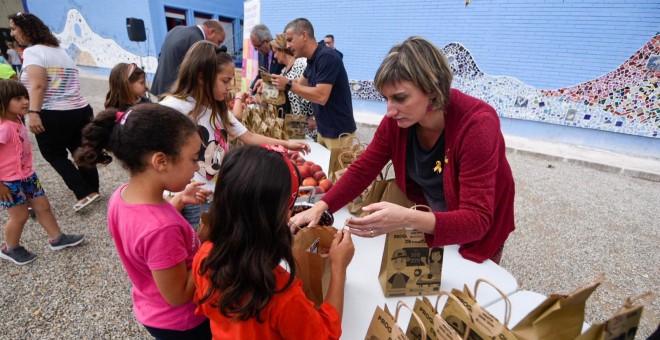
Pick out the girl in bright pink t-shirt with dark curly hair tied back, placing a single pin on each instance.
(156, 245)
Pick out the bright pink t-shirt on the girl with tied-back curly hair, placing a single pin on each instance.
(153, 237)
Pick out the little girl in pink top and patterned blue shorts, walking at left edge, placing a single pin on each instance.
(19, 184)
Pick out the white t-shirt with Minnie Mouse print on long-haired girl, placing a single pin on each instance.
(214, 139)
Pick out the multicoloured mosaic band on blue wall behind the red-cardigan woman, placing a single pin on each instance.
(624, 100)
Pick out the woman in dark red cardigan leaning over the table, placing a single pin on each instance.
(448, 152)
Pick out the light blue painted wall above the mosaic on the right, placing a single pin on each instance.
(547, 44)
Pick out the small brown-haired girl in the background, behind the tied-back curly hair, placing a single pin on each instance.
(127, 87)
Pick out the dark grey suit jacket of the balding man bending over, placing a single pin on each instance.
(176, 44)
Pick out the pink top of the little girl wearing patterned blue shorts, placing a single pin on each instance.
(15, 151)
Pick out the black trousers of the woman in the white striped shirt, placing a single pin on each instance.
(63, 131)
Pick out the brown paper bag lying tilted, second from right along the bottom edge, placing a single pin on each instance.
(558, 317)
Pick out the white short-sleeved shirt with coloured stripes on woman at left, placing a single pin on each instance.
(63, 89)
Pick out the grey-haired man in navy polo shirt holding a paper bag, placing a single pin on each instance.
(324, 83)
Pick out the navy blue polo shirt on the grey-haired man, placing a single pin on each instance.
(336, 116)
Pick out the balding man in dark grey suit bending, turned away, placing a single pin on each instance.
(177, 42)
